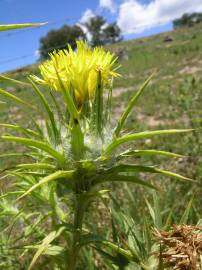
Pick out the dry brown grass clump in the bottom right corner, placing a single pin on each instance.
(181, 247)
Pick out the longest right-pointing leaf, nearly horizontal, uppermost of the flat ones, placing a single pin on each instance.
(141, 135)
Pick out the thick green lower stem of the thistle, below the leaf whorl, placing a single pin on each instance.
(80, 206)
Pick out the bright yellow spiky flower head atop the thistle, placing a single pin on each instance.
(78, 70)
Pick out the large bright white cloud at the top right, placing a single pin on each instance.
(135, 17)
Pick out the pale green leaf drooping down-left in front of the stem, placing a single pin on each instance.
(52, 177)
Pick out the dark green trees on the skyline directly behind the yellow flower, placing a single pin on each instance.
(96, 31)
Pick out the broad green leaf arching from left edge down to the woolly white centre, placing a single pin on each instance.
(37, 144)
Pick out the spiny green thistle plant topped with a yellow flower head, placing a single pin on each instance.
(72, 151)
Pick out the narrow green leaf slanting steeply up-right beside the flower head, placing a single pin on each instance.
(130, 106)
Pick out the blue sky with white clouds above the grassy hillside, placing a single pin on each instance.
(18, 48)
